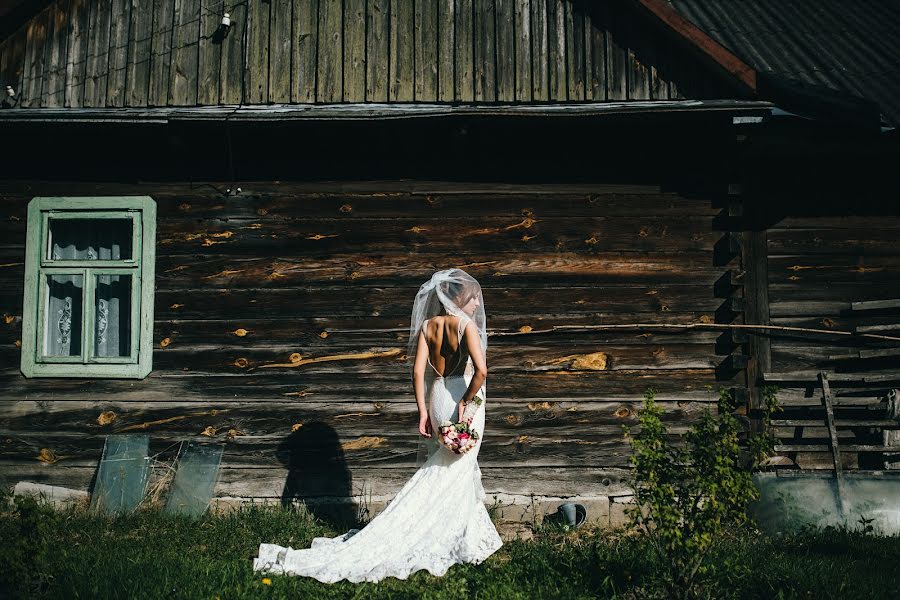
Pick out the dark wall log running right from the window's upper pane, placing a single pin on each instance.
(468, 236)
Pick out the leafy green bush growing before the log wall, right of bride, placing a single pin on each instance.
(688, 495)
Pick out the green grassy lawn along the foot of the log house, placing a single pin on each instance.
(48, 553)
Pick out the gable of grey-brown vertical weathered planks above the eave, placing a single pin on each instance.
(173, 53)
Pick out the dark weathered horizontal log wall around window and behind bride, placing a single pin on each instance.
(288, 308)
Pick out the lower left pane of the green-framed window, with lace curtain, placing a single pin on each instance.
(62, 315)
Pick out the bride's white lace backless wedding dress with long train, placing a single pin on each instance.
(437, 520)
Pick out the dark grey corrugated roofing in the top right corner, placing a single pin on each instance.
(852, 47)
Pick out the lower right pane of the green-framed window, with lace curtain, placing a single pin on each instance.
(112, 315)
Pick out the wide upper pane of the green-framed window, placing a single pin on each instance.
(90, 239)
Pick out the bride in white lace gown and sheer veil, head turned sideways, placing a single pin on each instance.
(438, 519)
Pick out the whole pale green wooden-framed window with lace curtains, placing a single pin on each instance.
(88, 306)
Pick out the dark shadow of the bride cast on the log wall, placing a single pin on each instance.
(318, 475)
